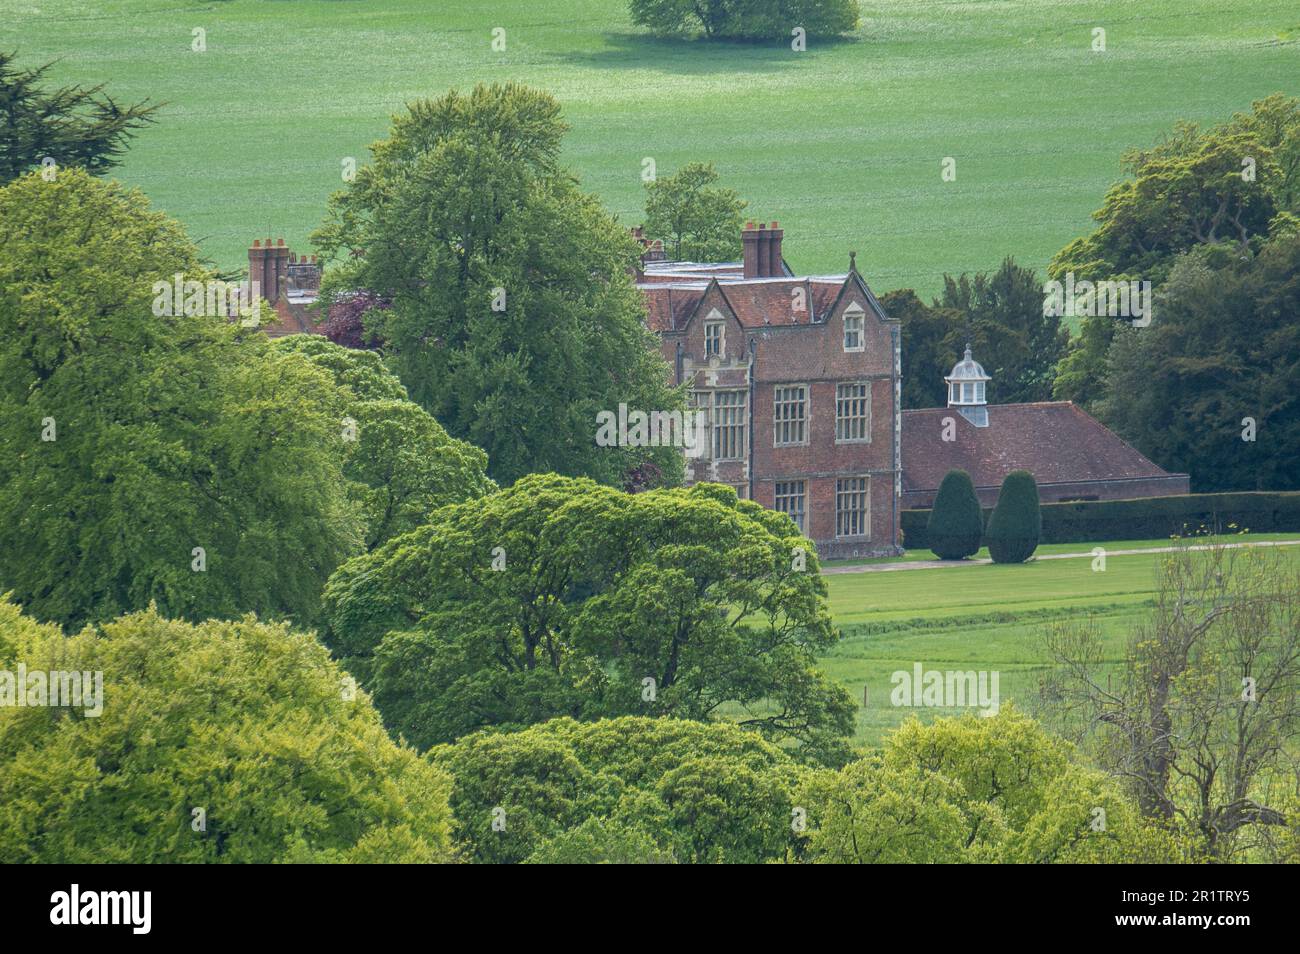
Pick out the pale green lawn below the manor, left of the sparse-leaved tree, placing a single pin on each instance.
(976, 618)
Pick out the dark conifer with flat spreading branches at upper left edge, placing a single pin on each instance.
(75, 127)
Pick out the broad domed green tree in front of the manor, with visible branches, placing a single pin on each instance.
(558, 597)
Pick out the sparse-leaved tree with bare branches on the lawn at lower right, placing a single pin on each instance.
(1201, 722)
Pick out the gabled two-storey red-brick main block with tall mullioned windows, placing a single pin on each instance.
(799, 383)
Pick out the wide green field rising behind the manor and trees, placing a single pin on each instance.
(842, 144)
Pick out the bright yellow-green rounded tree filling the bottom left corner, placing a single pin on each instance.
(249, 723)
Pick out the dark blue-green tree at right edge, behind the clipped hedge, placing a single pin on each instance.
(1210, 389)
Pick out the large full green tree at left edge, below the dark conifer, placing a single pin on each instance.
(145, 457)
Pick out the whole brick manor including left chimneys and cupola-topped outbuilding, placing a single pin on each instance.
(799, 379)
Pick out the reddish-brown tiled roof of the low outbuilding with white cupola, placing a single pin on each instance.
(1055, 441)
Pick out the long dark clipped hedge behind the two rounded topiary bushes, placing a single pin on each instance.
(1149, 518)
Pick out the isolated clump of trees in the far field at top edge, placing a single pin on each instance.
(746, 20)
